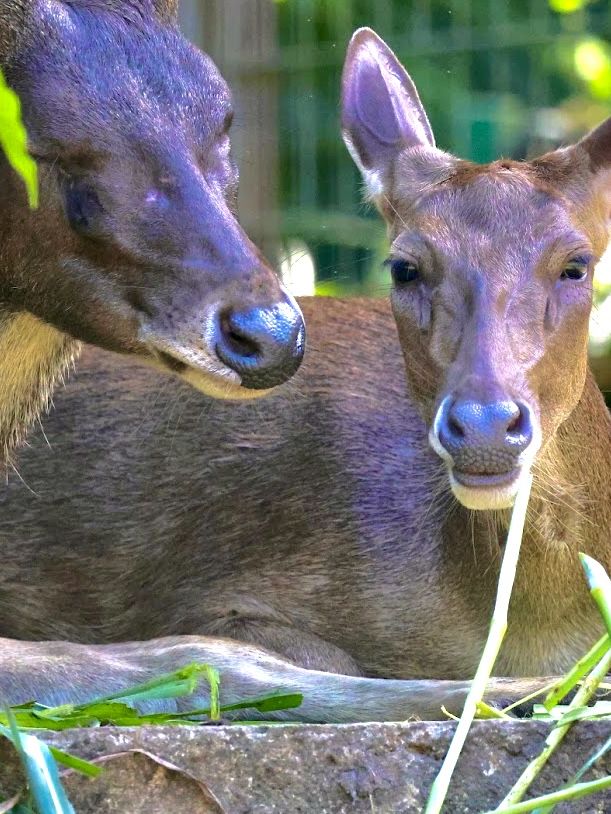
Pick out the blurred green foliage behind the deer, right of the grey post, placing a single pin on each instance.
(511, 78)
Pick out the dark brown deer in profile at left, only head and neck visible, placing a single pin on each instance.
(135, 247)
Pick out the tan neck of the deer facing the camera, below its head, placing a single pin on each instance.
(552, 619)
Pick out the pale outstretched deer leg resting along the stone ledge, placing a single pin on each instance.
(61, 672)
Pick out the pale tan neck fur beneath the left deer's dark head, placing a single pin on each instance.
(34, 357)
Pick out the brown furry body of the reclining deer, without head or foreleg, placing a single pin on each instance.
(318, 525)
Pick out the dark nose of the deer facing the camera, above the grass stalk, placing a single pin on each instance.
(485, 438)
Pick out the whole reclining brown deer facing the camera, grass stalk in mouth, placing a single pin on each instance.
(348, 532)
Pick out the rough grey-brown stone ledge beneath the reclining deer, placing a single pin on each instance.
(373, 768)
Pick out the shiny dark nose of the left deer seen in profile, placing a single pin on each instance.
(264, 346)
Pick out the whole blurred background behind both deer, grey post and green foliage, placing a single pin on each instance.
(497, 77)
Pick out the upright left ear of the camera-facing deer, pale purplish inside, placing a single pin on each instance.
(381, 111)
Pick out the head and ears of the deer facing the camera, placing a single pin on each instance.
(492, 275)
